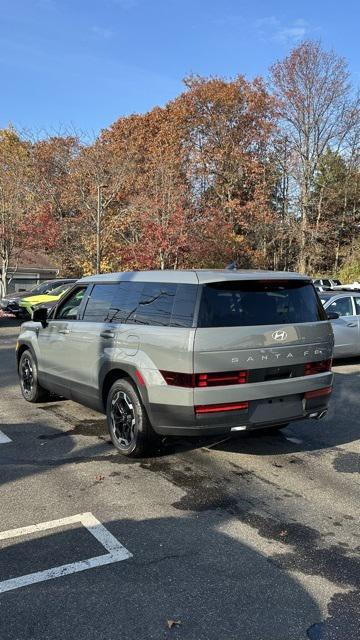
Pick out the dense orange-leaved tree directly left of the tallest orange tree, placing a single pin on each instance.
(152, 213)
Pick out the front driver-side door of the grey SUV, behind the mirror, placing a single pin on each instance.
(56, 357)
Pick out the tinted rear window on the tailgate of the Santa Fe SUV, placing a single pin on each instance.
(239, 304)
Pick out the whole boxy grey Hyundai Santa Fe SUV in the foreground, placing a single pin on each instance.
(183, 352)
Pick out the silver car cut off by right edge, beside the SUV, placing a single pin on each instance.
(346, 326)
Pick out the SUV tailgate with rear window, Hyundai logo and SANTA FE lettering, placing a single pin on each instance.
(269, 333)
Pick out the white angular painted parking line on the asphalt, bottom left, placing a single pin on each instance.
(116, 551)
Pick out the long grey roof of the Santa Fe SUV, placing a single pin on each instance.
(193, 276)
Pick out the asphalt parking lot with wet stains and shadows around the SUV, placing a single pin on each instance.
(249, 538)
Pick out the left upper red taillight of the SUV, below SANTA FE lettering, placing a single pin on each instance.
(192, 380)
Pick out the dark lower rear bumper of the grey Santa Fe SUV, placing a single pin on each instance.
(179, 420)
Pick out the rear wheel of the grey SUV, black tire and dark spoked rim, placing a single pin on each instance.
(129, 427)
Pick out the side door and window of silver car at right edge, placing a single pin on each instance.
(346, 327)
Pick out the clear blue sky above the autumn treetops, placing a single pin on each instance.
(84, 63)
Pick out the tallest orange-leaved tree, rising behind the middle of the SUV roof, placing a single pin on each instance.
(228, 131)
